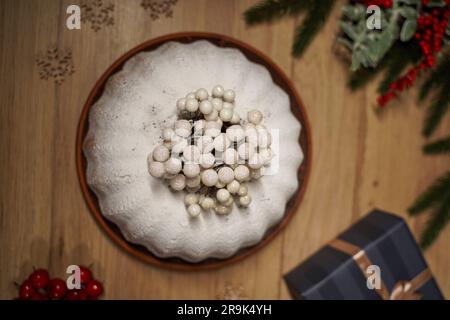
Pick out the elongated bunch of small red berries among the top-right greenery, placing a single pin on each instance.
(430, 33)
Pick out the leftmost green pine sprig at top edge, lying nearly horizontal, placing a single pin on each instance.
(270, 10)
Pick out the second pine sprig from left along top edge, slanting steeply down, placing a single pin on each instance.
(317, 15)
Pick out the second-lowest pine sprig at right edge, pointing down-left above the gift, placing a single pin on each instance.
(439, 190)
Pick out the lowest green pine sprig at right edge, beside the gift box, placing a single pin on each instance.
(437, 222)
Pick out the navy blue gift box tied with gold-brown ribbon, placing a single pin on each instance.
(341, 269)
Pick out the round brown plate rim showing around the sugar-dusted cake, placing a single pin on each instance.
(297, 109)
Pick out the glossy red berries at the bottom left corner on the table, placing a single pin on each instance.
(39, 286)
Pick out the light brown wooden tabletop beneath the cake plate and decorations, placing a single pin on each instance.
(360, 160)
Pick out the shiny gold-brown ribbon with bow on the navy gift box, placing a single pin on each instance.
(403, 290)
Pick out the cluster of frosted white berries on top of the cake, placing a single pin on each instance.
(211, 153)
